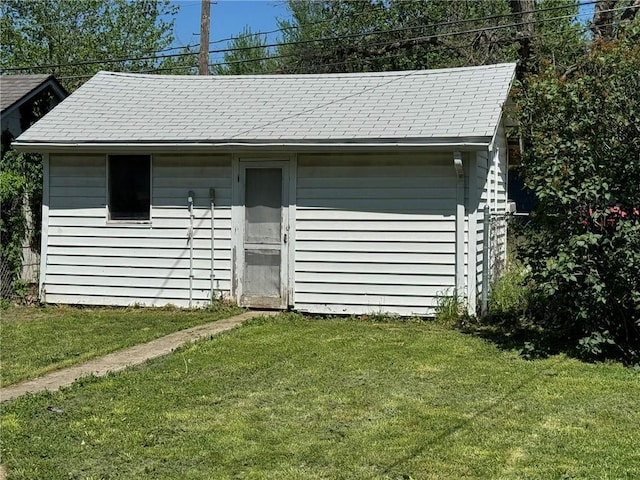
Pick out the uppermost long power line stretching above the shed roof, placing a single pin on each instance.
(375, 32)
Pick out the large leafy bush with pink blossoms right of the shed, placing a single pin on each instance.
(582, 151)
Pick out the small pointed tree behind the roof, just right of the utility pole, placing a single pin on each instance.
(249, 55)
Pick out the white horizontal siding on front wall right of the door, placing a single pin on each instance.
(374, 233)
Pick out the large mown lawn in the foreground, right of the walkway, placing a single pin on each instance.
(298, 398)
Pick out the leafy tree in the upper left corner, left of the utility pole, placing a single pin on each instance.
(73, 39)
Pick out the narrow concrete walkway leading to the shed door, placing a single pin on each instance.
(122, 359)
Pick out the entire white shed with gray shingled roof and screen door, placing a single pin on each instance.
(333, 194)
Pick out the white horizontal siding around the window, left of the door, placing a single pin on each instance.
(93, 261)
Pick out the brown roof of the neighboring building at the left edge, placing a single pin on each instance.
(17, 89)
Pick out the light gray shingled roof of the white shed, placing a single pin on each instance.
(422, 106)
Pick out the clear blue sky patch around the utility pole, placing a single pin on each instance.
(228, 19)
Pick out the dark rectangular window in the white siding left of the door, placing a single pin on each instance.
(129, 187)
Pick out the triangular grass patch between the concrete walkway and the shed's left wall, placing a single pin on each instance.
(34, 341)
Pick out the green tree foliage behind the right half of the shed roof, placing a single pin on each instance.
(376, 35)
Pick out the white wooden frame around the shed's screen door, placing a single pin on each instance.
(240, 164)
